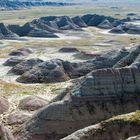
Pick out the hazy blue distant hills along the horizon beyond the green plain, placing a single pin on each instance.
(18, 4)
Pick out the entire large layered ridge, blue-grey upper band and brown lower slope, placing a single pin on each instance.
(95, 97)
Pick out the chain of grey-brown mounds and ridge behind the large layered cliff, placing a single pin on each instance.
(38, 71)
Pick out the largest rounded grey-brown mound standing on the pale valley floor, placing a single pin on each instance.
(46, 72)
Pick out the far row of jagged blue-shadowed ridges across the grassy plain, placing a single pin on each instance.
(48, 26)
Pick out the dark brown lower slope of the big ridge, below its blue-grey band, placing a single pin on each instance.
(73, 115)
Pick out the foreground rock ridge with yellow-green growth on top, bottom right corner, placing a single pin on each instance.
(120, 127)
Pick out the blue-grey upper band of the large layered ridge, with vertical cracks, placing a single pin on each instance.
(110, 81)
